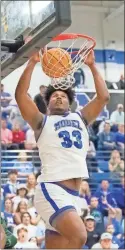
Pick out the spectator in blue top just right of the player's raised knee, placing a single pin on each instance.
(97, 213)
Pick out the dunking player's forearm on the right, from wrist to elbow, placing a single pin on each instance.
(100, 85)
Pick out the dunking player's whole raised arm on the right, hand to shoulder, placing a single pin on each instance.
(91, 111)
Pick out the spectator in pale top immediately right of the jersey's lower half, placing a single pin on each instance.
(91, 158)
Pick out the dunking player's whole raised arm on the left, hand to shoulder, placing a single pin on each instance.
(27, 107)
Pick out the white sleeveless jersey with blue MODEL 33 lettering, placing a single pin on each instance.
(63, 146)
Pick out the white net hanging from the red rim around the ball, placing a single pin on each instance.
(77, 59)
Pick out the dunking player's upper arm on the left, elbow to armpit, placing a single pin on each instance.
(29, 110)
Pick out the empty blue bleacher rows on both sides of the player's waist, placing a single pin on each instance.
(9, 157)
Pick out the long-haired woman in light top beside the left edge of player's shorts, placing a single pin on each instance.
(31, 184)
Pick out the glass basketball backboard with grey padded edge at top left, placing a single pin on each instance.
(37, 21)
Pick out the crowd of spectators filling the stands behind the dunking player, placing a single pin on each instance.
(102, 196)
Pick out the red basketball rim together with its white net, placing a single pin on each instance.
(85, 45)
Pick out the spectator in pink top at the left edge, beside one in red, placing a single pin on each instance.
(6, 137)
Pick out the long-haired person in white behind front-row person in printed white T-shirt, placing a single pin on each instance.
(26, 223)
